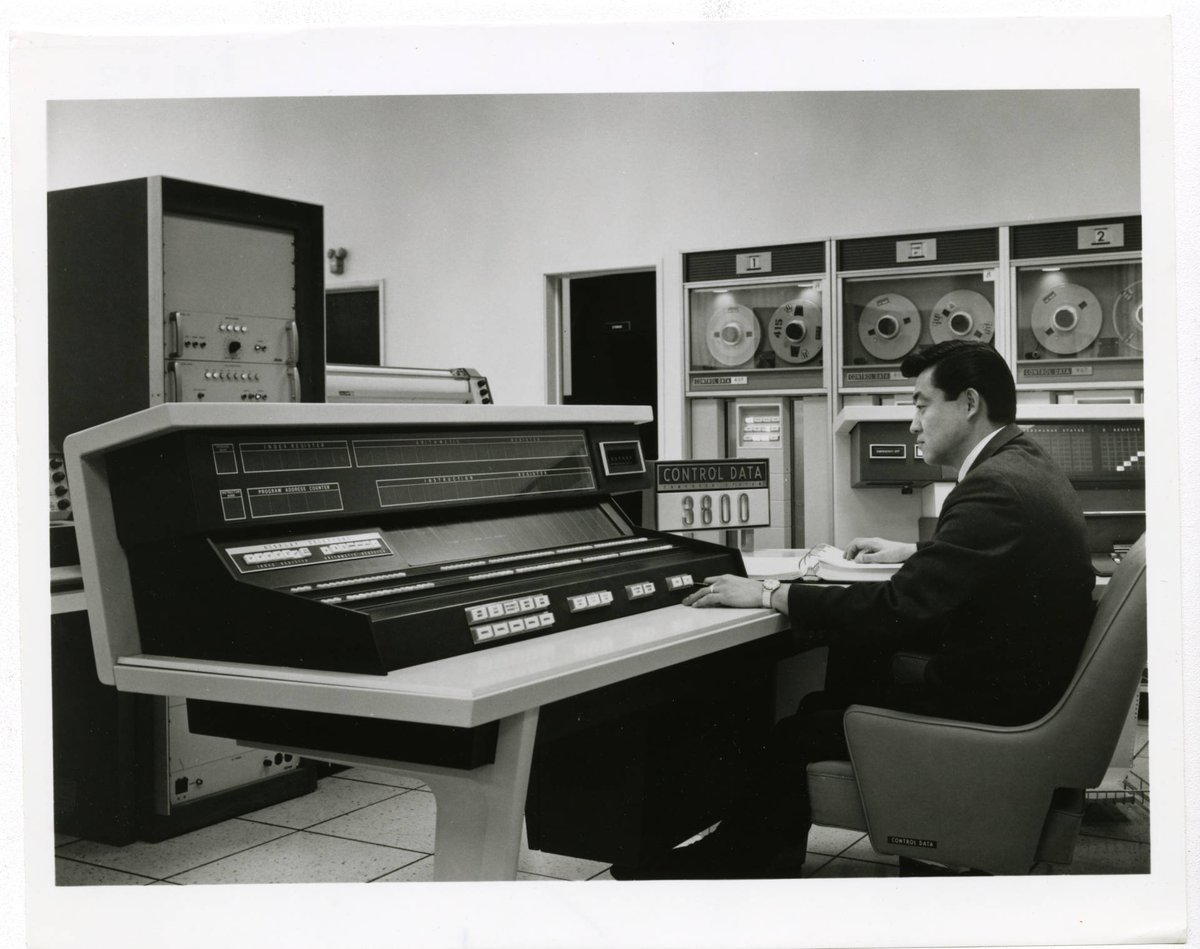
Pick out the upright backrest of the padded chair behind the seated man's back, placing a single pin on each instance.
(1085, 725)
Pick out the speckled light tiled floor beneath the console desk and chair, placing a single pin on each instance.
(364, 826)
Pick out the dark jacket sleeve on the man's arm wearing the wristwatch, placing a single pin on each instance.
(981, 527)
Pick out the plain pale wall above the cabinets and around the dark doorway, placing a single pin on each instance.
(464, 203)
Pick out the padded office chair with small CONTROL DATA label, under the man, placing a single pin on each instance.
(989, 798)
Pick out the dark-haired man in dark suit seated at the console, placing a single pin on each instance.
(1000, 597)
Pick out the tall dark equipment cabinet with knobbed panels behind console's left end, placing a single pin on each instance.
(169, 291)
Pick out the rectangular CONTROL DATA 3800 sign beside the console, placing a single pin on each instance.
(723, 495)
